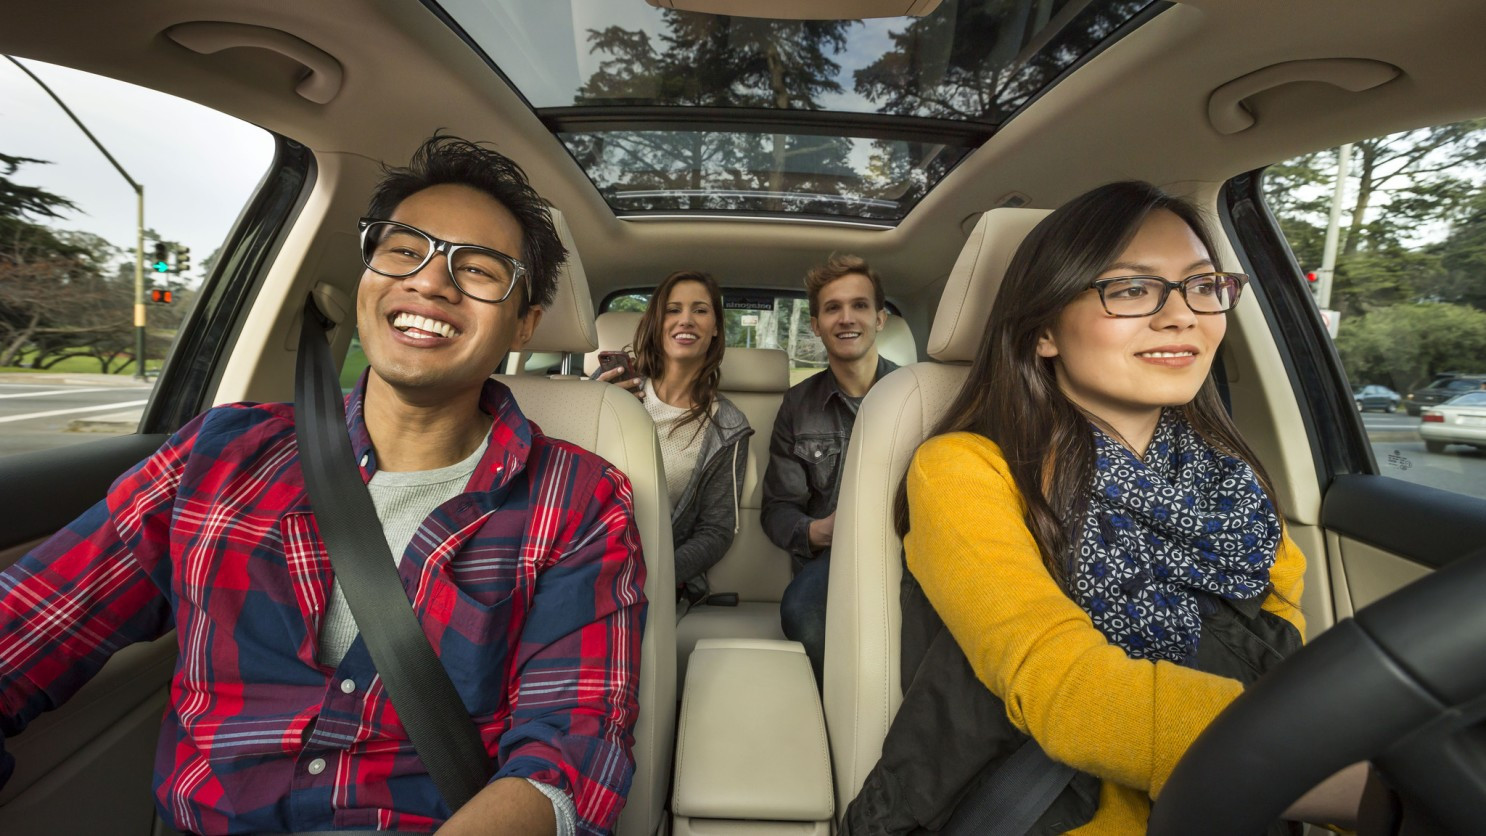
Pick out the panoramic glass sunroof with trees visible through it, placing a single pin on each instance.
(681, 112)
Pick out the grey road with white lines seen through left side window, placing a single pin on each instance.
(45, 415)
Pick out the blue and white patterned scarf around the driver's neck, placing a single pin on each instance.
(1185, 519)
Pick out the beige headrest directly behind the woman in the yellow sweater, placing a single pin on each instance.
(976, 280)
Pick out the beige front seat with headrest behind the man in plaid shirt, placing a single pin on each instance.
(614, 425)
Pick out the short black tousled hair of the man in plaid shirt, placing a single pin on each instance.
(450, 160)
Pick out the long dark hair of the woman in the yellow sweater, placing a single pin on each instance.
(1011, 394)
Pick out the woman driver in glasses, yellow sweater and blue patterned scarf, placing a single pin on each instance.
(1087, 522)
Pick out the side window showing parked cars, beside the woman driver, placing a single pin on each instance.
(1392, 234)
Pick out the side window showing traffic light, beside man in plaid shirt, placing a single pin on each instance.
(84, 238)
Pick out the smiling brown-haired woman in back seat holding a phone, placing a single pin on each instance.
(704, 437)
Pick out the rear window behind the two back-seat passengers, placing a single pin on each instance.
(760, 321)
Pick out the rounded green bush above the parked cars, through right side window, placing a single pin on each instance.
(1405, 345)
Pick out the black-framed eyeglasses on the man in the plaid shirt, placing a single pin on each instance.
(399, 252)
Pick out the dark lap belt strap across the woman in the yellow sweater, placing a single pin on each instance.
(1014, 798)
